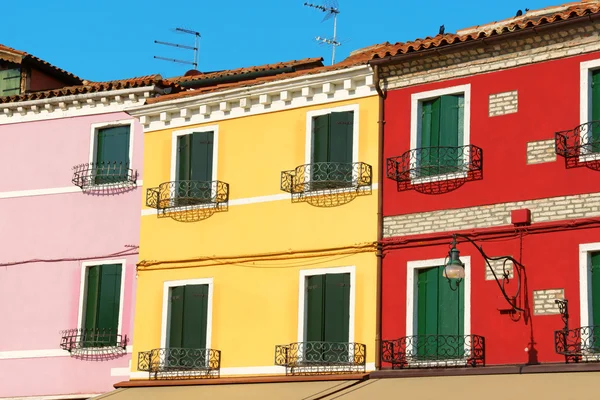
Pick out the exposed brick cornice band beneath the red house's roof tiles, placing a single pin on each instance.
(503, 54)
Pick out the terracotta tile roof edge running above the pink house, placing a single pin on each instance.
(94, 87)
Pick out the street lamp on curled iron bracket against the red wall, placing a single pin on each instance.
(454, 270)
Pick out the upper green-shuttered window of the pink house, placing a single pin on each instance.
(111, 153)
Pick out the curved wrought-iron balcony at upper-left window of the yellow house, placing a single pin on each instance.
(189, 200)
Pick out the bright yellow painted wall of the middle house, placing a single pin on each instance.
(255, 303)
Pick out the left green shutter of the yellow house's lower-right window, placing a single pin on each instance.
(315, 290)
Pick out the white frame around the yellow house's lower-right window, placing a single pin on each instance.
(305, 273)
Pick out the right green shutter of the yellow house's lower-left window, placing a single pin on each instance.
(195, 315)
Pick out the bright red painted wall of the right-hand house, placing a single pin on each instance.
(548, 102)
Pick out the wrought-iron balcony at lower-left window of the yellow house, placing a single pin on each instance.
(179, 363)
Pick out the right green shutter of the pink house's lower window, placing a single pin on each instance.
(109, 299)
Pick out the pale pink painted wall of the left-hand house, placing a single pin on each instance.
(39, 299)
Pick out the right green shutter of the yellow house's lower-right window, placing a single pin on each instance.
(337, 308)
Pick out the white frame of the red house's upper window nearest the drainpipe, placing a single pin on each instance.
(416, 109)
